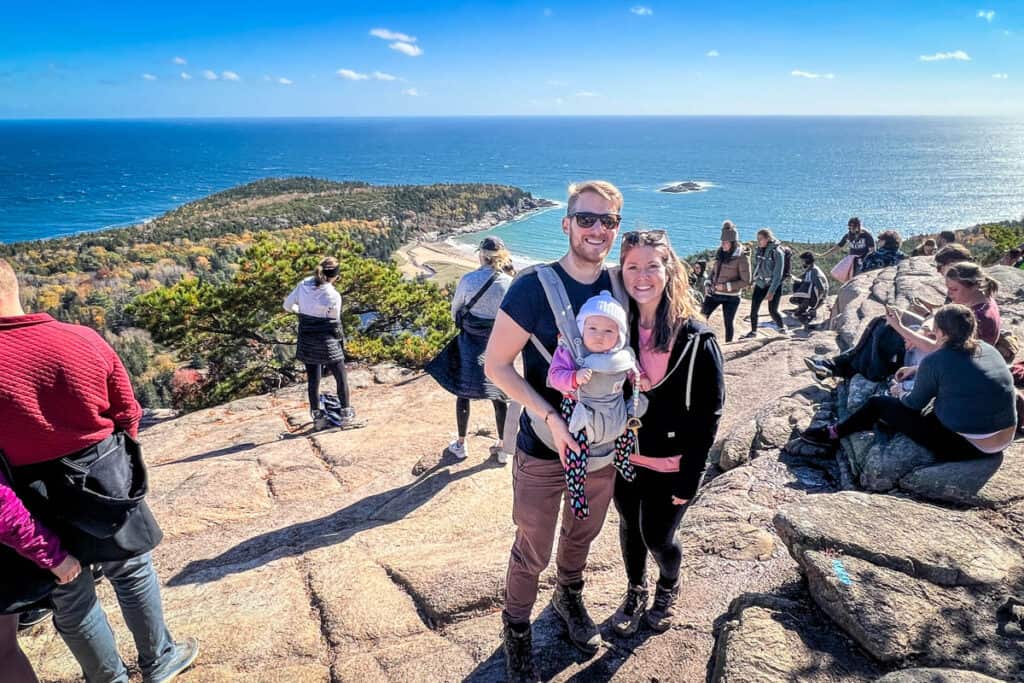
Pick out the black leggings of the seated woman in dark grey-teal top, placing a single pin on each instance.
(925, 430)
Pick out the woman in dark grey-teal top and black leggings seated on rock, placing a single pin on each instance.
(974, 413)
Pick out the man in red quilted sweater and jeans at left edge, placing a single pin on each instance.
(68, 405)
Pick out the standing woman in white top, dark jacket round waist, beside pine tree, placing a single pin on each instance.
(322, 341)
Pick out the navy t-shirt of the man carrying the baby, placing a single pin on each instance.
(528, 306)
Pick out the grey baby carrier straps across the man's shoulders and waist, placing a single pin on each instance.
(562, 309)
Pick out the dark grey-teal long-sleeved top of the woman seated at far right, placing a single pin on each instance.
(973, 393)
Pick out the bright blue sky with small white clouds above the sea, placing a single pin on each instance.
(258, 59)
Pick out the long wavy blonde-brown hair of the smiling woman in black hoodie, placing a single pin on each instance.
(677, 305)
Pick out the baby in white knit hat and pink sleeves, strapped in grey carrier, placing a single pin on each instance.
(592, 392)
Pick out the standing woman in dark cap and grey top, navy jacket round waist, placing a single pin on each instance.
(475, 307)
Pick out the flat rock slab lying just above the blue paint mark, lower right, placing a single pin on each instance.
(944, 547)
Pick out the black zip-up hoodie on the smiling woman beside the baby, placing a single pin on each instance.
(687, 406)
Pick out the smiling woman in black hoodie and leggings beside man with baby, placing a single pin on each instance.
(684, 362)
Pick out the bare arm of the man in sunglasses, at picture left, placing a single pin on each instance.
(507, 340)
